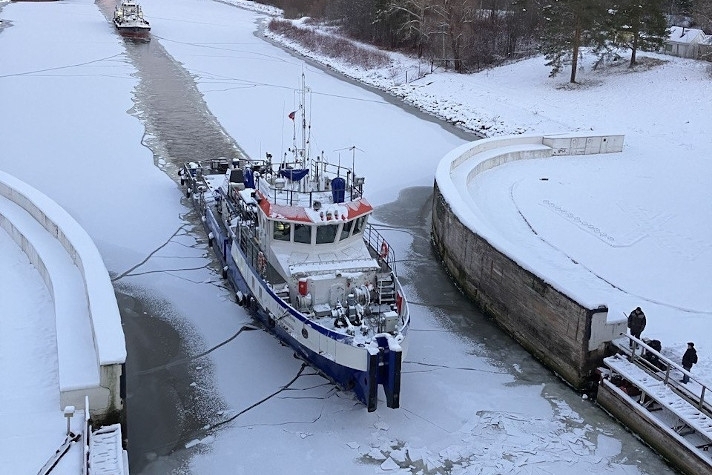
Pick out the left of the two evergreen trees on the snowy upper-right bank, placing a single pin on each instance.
(568, 26)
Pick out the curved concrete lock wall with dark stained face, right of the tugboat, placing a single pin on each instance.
(565, 335)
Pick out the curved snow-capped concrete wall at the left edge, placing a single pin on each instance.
(108, 336)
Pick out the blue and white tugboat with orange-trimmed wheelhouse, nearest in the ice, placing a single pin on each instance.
(296, 245)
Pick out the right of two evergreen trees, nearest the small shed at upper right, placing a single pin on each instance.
(640, 24)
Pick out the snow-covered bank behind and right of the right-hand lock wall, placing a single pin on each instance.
(640, 223)
